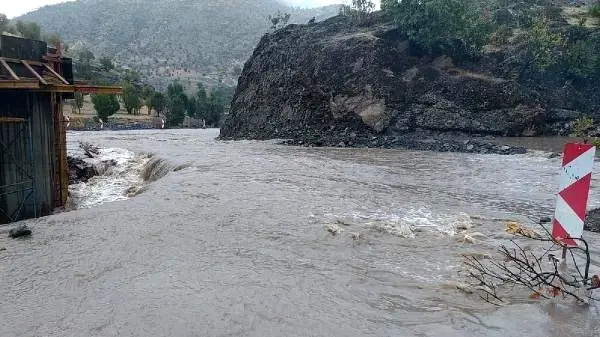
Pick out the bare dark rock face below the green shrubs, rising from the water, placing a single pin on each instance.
(334, 84)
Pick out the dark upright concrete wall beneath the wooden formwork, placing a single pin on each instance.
(36, 107)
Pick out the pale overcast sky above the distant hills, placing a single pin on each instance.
(14, 8)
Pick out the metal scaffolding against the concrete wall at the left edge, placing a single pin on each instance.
(17, 161)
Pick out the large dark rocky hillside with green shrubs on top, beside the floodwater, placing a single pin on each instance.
(374, 82)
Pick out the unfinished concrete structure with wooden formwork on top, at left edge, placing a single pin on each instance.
(34, 80)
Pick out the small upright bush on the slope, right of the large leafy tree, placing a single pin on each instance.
(545, 45)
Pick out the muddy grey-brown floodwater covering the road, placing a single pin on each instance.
(238, 242)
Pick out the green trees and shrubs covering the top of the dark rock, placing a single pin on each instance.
(462, 28)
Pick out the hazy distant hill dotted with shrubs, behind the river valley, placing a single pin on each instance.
(165, 39)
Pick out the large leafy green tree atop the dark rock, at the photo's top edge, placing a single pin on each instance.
(453, 26)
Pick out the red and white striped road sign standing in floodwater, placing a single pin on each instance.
(574, 187)
